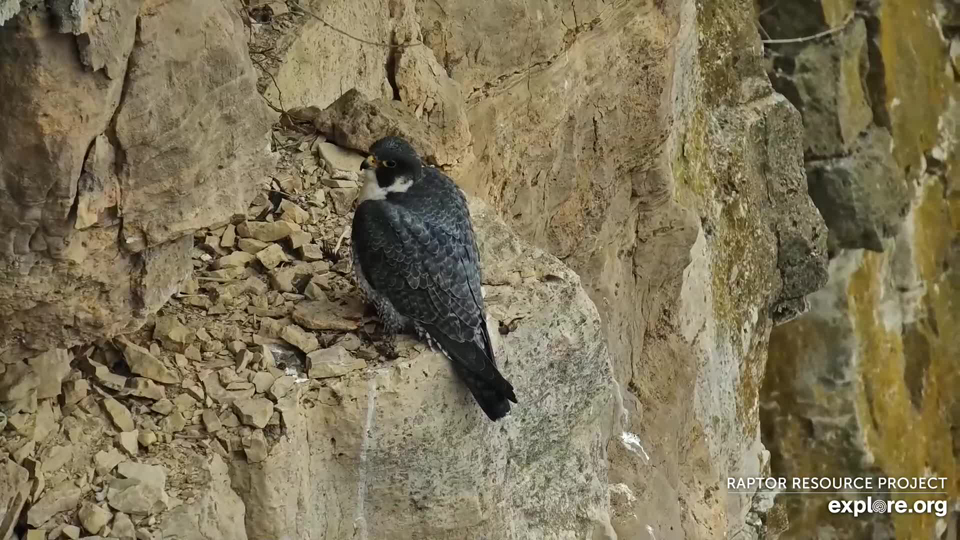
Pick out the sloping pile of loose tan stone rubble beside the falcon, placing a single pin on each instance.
(100, 438)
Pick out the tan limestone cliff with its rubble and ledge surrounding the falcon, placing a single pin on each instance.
(638, 144)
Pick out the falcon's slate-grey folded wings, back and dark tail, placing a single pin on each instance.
(421, 254)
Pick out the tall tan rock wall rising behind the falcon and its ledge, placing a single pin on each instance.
(642, 144)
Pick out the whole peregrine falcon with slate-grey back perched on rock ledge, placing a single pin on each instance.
(415, 258)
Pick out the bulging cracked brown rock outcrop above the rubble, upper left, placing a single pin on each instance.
(127, 125)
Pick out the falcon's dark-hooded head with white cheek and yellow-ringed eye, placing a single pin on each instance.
(393, 166)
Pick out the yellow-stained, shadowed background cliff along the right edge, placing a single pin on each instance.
(862, 385)
